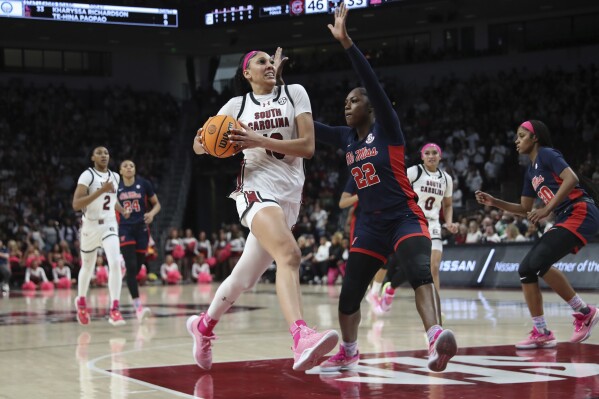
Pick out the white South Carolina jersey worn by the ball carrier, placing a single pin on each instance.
(271, 115)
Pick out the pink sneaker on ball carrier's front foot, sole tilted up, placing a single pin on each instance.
(312, 346)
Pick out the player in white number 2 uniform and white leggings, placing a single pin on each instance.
(95, 196)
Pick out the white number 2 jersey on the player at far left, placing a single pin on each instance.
(103, 206)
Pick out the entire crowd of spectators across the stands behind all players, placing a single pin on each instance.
(46, 135)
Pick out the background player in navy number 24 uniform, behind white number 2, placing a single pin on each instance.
(134, 194)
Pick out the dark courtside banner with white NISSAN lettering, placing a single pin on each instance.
(496, 266)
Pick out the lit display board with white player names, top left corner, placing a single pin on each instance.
(89, 13)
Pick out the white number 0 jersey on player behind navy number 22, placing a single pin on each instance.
(431, 188)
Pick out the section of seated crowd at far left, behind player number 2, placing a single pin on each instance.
(46, 138)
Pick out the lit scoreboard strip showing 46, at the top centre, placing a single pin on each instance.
(248, 11)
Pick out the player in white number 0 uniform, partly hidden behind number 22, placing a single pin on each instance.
(434, 188)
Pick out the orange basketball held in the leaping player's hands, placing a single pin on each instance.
(215, 135)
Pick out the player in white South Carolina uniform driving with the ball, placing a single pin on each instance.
(278, 132)
